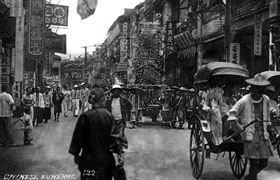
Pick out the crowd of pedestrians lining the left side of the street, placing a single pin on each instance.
(37, 106)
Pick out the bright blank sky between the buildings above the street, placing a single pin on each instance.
(93, 30)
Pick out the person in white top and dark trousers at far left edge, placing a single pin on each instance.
(6, 102)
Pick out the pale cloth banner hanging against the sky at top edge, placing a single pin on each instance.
(86, 8)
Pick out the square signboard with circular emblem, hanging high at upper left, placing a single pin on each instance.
(56, 15)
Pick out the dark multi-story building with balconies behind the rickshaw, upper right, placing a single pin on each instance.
(236, 31)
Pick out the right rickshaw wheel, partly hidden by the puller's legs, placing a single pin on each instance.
(238, 164)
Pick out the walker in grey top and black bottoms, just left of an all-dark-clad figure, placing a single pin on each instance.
(48, 105)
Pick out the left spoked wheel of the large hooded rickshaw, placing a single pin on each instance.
(197, 148)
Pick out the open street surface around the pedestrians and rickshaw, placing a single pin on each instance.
(154, 153)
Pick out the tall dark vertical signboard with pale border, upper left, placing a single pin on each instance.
(36, 22)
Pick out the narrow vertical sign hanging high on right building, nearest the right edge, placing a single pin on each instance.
(258, 35)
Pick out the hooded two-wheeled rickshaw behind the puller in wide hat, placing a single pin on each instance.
(224, 74)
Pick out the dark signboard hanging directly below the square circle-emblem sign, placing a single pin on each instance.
(56, 43)
